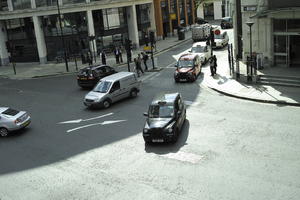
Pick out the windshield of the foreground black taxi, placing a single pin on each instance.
(161, 111)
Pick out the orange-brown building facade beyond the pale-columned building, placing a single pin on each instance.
(170, 14)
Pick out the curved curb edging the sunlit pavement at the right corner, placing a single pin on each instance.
(253, 99)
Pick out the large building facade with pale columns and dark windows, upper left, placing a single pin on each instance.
(30, 29)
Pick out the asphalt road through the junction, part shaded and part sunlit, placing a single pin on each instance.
(228, 148)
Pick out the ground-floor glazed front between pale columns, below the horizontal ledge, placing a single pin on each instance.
(43, 39)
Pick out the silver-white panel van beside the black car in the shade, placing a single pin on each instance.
(113, 88)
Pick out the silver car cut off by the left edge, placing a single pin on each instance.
(12, 120)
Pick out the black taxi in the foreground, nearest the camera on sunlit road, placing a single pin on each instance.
(166, 116)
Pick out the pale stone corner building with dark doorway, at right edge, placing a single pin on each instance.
(275, 32)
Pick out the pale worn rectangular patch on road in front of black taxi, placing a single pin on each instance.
(184, 157)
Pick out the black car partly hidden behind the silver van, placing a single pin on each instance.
(89, 76)
